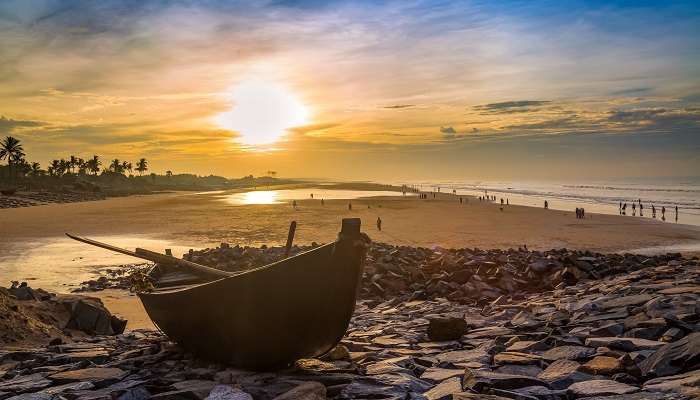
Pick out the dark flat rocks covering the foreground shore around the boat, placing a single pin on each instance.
(431, 324)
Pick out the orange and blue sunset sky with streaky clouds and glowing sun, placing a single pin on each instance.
(398, 90)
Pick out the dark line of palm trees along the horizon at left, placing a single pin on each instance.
(11, 150)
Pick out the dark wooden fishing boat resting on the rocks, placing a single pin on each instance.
(266, 317)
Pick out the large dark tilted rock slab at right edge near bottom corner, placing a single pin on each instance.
(674, 357)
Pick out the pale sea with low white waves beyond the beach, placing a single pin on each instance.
(594, 196)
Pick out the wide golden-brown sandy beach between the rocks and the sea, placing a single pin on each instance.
(205, 220)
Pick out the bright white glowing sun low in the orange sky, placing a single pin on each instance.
(262, 112)
